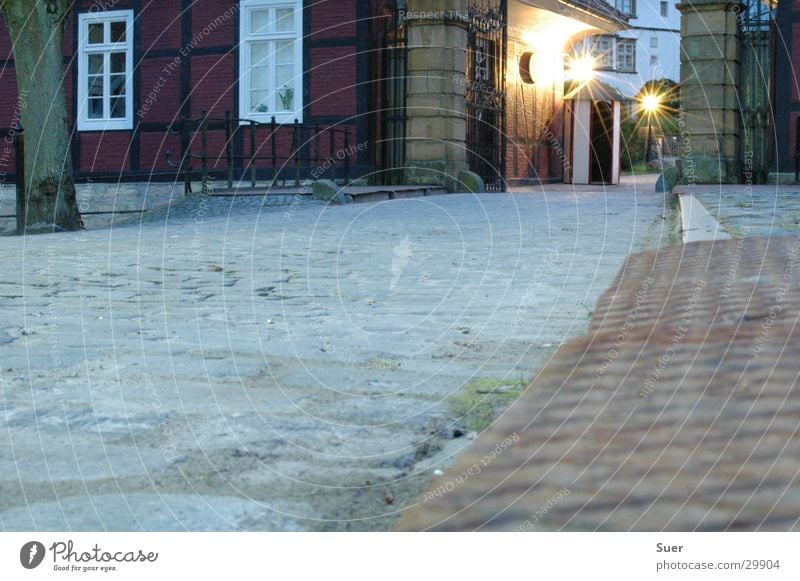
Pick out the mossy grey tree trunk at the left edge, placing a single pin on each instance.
(37, 33)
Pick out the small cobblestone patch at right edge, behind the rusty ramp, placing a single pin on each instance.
(753, 211)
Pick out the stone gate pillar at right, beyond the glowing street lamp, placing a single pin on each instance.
(710, 62)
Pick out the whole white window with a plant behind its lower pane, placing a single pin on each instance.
(271, 60)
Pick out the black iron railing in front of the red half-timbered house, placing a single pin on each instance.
(311, 151)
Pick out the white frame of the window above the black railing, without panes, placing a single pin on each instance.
(245, 39)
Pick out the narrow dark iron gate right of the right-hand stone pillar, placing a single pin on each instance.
(757, 19)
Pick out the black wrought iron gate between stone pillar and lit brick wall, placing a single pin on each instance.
(486, 100)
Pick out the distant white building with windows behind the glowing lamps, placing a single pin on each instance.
(648, 50)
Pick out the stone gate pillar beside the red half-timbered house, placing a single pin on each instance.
(436, 91)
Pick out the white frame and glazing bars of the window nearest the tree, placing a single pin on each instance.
(84, 50)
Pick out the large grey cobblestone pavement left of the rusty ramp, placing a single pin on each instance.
(292, 367)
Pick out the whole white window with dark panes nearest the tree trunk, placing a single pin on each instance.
(105, 70)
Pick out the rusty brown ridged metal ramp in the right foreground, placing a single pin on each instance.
(679, 411)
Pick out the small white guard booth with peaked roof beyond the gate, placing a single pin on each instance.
(592, 134)
